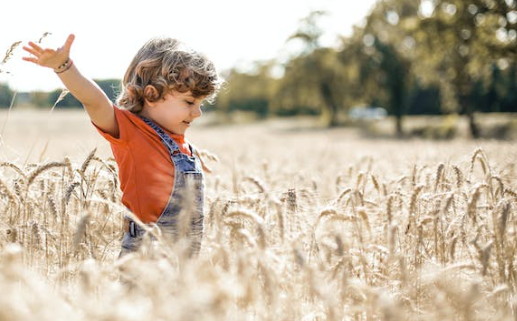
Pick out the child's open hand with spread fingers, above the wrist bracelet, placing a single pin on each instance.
(46, 57)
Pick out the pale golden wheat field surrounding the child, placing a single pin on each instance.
(300, 224)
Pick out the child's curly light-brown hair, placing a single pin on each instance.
(166, 64)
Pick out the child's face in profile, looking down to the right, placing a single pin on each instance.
(175, 112)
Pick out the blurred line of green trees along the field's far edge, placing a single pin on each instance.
(409, 56)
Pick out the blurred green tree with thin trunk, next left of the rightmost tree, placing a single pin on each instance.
(380, 50)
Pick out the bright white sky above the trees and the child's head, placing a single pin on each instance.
(109, 33)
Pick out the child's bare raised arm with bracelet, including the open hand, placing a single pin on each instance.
(97, 104)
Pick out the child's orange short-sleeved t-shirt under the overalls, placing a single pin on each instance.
(146, 171)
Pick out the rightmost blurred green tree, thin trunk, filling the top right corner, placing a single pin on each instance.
(457, 42)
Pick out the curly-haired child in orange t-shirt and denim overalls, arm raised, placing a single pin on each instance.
(160, 173)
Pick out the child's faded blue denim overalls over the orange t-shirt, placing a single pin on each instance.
(183, 215)
